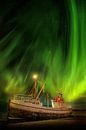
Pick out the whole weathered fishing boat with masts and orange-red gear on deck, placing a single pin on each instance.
(30, 107)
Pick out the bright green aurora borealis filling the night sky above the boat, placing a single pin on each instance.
(45, 37)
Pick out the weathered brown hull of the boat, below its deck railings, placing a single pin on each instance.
(36, 112)
